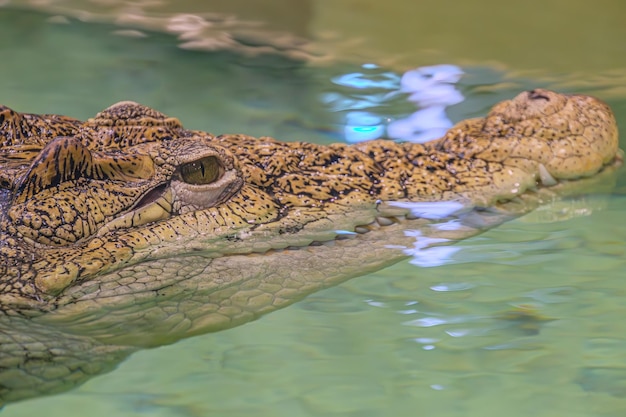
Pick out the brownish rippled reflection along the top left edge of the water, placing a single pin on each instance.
(239, 26)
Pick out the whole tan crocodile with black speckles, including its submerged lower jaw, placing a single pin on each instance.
(128, 230)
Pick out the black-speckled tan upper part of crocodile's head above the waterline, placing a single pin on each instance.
(80, 201)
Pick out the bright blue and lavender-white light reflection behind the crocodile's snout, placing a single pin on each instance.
(371, 92)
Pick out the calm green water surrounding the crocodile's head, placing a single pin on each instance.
(404, 341)
